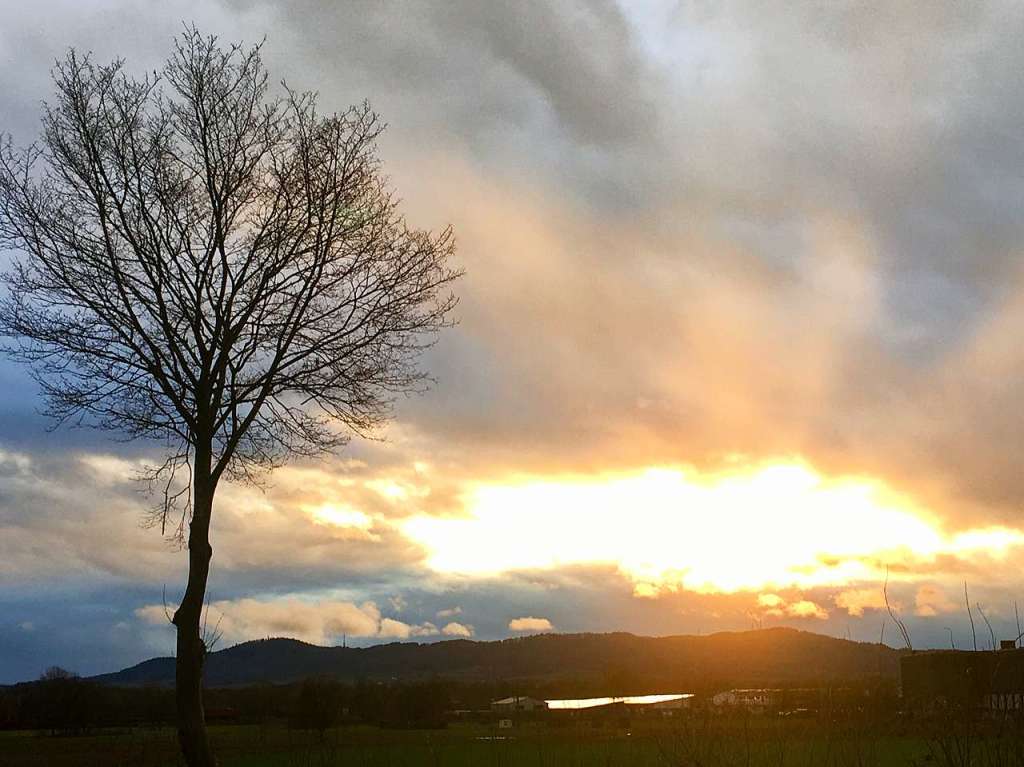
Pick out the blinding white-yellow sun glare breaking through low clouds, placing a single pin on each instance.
(773, 527)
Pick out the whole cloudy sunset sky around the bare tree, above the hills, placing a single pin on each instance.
(739, 337)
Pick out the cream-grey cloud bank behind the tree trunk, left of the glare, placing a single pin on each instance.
(83, 509)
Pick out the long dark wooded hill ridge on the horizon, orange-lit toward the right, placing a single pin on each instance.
(629, 664)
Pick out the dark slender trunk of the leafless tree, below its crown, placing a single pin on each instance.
(191, 648)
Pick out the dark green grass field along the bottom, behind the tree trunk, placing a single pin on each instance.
(471, 746)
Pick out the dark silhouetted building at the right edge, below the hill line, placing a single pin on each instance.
(989, 680)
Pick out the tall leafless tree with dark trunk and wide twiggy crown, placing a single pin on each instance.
(217, 268)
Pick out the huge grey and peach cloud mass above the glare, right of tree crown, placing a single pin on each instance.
(851, 279)
